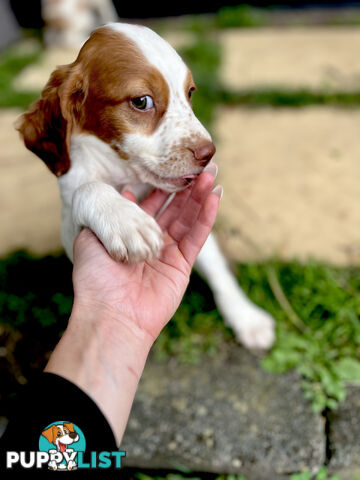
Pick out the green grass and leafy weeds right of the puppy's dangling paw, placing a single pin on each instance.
(323, 344)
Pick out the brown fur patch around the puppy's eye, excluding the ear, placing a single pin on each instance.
(118, 71)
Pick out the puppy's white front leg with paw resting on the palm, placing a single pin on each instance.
(126, 231)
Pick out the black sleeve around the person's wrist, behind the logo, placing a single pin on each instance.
(47, 399)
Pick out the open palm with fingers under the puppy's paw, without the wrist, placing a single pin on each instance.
(147, 294)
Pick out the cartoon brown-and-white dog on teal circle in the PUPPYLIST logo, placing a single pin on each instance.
(62, 441)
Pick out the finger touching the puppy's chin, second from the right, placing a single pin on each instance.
(190, 211)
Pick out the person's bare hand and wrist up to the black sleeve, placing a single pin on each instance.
(120, 309)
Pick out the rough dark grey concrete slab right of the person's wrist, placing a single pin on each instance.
(225, 415)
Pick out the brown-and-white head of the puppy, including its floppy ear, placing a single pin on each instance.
(129, 88)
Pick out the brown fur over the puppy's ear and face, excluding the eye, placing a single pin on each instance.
(93, 95)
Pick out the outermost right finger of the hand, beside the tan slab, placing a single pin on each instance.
(191, 244)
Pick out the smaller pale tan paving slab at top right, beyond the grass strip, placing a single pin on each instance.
(309, 57)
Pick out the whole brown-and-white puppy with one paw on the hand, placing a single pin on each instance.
(121, 114)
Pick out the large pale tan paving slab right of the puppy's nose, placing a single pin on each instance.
(290, 182)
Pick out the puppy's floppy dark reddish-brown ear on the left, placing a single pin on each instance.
(46, 127)
